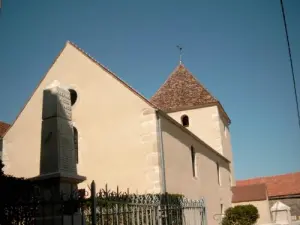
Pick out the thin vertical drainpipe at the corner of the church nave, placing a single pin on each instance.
(161, 149)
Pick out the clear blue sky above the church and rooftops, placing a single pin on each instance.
(237, 49)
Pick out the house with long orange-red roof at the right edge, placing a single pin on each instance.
(284, 188)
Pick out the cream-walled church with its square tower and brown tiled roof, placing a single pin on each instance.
(179, 141)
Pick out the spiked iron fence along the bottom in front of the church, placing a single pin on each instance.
(106, 207)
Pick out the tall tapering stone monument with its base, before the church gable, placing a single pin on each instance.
(58, 173)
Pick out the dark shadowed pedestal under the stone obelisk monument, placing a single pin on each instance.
(60, 195)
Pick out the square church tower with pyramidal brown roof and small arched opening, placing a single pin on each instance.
(187, 101)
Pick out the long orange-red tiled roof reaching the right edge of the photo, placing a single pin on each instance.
(280, 185)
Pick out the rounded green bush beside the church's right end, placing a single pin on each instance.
(241, 215)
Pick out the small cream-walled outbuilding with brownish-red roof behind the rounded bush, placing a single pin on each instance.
(255, 194)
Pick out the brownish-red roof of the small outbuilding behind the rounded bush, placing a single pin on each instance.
(255, 192)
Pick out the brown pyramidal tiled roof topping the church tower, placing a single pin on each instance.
(181, 91)
